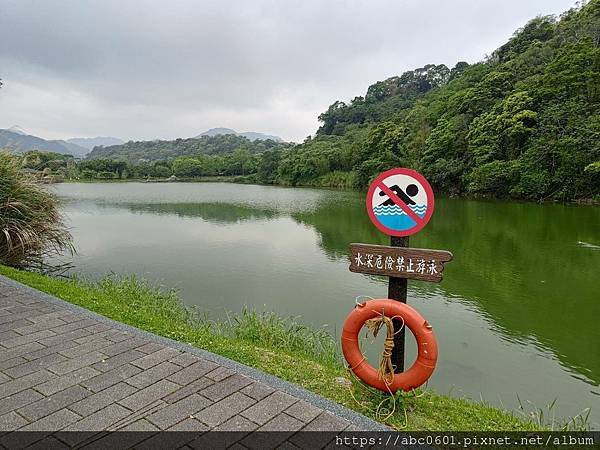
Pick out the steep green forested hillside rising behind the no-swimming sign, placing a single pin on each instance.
(524, 123)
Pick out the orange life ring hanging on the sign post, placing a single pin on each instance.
(418, 373)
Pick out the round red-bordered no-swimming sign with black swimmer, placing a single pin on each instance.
(400, 202)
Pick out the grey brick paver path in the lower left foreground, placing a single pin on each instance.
(61, 369)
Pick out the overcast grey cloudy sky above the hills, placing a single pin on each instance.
(164, 69)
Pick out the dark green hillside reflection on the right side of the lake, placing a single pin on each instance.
(522, 264)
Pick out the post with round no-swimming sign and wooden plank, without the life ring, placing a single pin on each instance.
(400, 203)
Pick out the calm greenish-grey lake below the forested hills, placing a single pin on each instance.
(516, 313)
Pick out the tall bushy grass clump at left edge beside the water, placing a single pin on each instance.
(31, 226)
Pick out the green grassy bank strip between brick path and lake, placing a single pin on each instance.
(281, 347)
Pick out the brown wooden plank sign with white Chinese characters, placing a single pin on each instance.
(399, 262)
